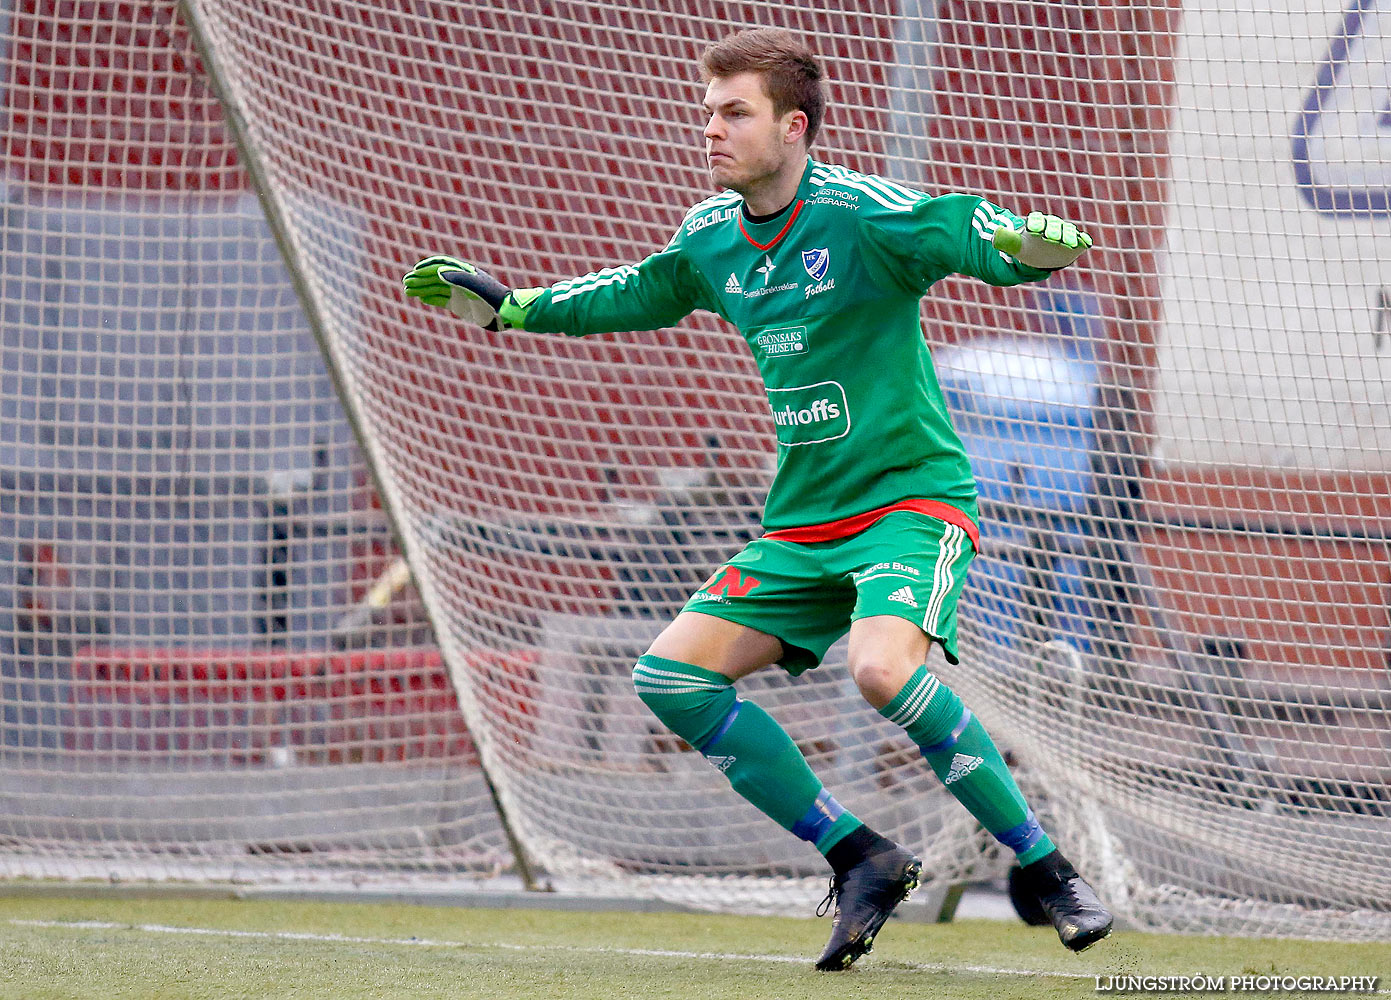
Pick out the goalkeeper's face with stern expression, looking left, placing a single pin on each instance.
(745, 141)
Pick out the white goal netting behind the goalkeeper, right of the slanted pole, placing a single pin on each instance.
(1180, 618)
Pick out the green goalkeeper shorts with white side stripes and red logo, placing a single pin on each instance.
(908, 565)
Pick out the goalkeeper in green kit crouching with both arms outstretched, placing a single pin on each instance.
(871, 518)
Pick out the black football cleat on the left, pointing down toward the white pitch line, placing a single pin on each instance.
(863, 901)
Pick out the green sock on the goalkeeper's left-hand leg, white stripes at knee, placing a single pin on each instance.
(748, 745)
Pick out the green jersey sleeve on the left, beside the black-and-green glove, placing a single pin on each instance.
(650, 296)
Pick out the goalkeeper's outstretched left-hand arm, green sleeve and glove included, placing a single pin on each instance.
(650, 296)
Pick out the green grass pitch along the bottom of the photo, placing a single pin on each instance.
(166, 949)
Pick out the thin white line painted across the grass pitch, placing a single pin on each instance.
(506, 946)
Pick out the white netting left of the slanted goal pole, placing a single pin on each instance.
(187, 528)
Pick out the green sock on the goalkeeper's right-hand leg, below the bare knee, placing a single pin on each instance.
(966, 759)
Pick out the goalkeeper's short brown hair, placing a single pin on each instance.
(792, 76)
